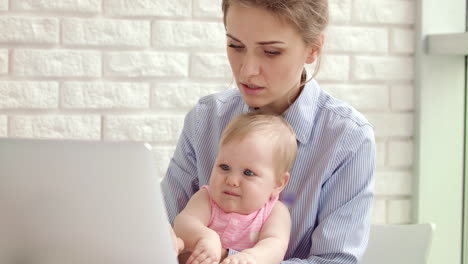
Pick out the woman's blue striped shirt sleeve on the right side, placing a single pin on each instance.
(345, 202)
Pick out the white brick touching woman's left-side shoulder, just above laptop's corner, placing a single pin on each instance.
(156, 129)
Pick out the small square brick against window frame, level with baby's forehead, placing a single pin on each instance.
(400, 153)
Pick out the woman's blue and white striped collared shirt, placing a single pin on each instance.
(331, 182)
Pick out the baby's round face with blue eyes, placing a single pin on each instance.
(244, 176)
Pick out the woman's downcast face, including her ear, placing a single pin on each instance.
(267, 56)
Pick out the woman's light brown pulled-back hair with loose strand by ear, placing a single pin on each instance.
(309, 17)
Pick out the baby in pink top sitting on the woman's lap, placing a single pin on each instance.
(239, 209)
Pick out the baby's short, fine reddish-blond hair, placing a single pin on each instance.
(273, 127)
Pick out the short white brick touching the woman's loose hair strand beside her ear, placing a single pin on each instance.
(332, 67)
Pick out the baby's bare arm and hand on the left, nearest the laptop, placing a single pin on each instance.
(191, 225)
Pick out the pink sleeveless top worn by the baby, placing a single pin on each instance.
(238, 231)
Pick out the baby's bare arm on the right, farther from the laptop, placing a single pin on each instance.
(272, 242)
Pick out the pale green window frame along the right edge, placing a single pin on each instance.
(440, 124)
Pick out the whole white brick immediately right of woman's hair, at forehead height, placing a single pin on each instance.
(356, 39)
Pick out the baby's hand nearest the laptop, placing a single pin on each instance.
(206, 251)
